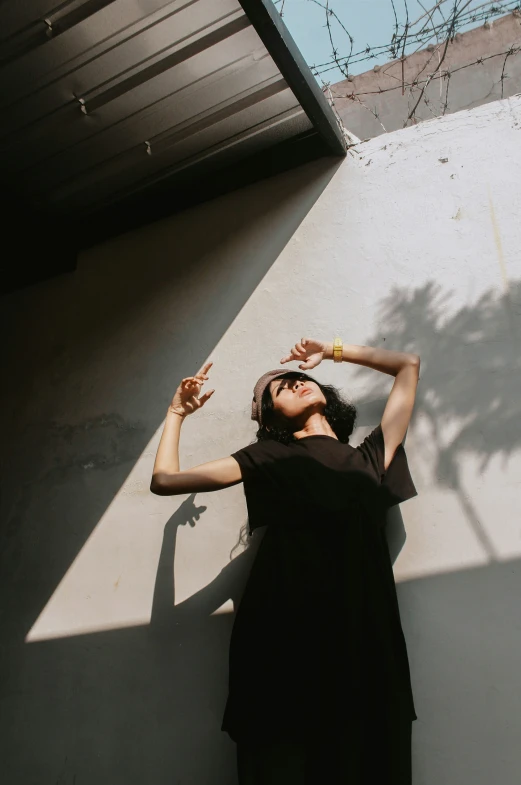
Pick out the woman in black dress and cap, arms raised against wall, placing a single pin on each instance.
(319, 685)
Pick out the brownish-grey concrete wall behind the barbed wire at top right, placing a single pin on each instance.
(372, 103)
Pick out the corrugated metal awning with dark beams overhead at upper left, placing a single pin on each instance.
(111, 105)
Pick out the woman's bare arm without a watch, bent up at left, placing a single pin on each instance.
(167, 478)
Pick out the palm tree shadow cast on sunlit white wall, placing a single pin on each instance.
(468, 401)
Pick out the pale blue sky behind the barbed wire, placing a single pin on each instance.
(370, 22)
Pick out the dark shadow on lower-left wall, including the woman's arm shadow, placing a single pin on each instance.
(140, 705)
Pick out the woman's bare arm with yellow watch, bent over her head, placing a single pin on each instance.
(404, 366)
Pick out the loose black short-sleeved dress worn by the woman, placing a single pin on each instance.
(317, 654)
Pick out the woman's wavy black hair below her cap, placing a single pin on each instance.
(339, 413)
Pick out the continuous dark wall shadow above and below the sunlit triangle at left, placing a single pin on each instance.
(92, 360)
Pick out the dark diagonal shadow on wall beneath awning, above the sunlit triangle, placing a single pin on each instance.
(94, 358)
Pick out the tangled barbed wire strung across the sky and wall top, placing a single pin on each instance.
(433, 30)
